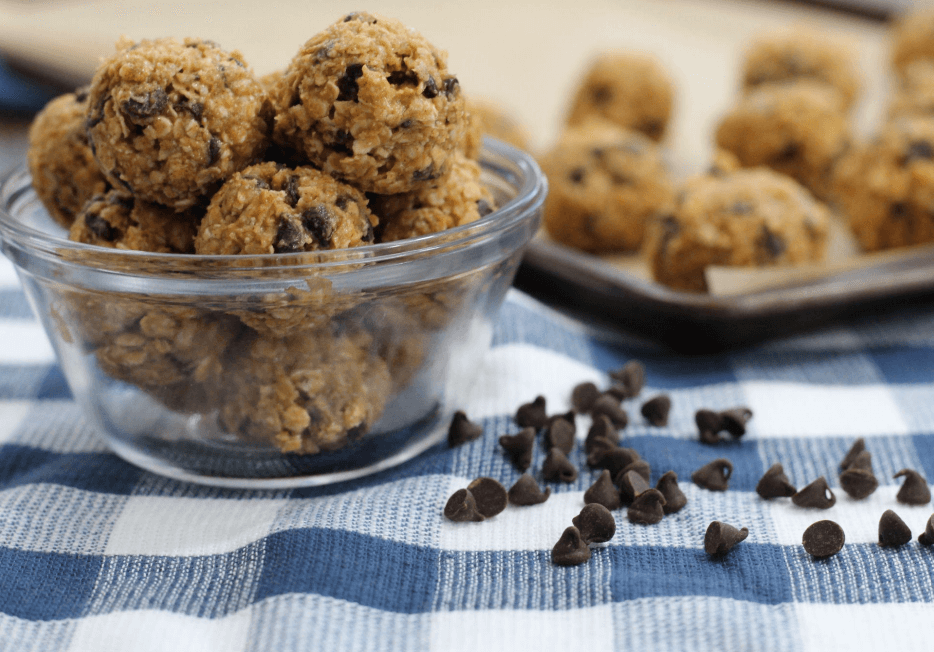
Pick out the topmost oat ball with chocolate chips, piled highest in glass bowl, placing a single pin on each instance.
(371, 102)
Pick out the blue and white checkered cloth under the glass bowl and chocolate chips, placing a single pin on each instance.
(96, 555)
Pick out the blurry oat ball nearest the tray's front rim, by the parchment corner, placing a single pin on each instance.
(750, 217)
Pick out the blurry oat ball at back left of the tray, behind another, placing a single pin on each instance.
(629, 89)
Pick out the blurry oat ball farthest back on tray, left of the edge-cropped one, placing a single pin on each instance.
(802, 54)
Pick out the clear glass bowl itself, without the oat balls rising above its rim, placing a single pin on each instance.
(281, 370)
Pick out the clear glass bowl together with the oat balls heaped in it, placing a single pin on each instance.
(269, 281)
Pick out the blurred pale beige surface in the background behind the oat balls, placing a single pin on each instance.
(526, 55)
